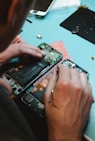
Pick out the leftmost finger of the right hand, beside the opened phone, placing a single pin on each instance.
(51, 86)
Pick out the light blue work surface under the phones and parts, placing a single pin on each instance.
(81, 50)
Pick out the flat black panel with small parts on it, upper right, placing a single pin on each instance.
(82, 23)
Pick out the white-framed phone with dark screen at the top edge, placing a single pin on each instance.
(41, 7)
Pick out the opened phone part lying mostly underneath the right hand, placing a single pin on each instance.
(34, 96)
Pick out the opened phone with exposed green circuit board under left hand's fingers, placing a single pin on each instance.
(26, 73)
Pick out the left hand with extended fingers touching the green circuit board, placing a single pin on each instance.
(19, 47)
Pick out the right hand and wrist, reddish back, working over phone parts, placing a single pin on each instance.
(67, 108)
